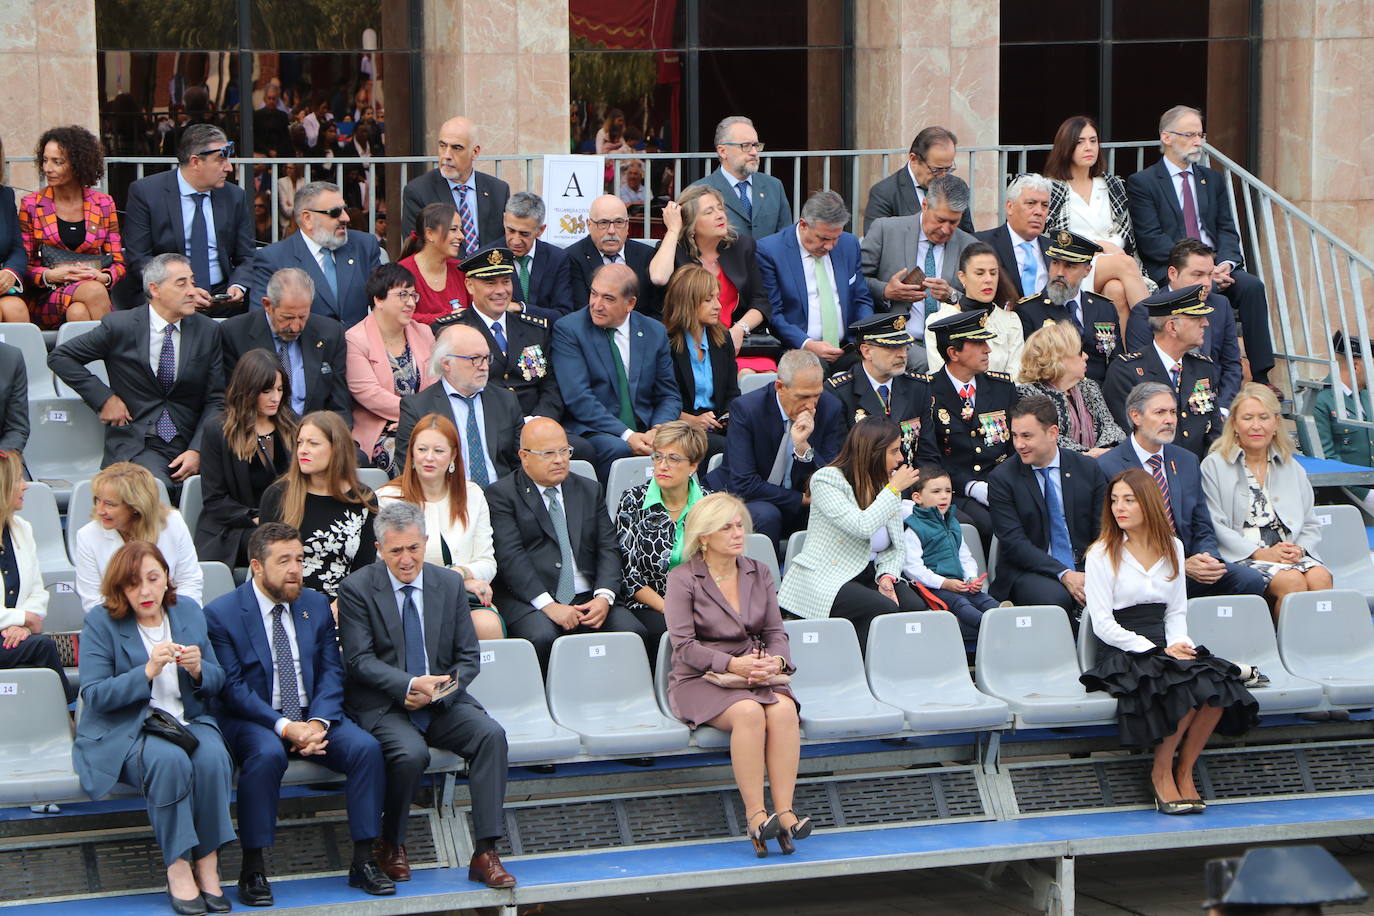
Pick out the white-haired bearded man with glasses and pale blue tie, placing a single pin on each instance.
(487, 417)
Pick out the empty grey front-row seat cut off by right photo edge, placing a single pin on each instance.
(1328, 638)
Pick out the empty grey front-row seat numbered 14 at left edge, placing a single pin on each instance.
(36, 745)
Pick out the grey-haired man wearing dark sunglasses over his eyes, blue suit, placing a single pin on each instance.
(337, 259)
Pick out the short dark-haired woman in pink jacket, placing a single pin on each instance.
(388, 359)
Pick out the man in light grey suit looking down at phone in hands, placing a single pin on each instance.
(932, 241)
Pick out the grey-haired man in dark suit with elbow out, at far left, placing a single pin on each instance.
(166, 363)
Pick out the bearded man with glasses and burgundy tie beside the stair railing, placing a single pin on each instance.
(1178, 198)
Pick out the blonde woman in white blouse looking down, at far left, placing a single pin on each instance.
(128, 507)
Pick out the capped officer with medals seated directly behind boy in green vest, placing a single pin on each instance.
(968, 431)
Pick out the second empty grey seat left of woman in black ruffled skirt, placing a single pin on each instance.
(917, 664)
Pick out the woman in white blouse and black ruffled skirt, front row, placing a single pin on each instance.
(1171, 694)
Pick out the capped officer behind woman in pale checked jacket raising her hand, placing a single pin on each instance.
(881, 385)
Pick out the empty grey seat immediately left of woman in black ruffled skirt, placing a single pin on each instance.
(1027, 659)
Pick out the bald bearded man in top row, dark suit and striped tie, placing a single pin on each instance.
(479, 197)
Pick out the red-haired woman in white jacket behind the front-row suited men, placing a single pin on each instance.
(455, 514)
